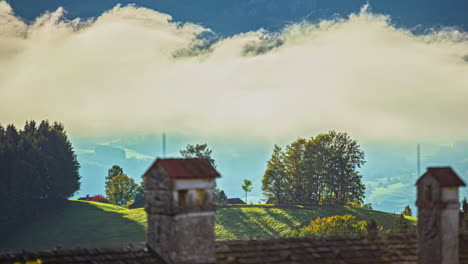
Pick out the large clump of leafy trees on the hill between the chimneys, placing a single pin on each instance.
(320, 171)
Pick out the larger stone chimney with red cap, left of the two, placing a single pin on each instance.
(181, 210)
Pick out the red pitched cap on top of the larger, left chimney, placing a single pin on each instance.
(186, 168)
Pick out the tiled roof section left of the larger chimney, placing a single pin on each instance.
(126, 255)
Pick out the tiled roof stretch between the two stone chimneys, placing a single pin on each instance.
(395, 248)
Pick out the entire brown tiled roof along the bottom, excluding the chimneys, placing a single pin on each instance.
(382, 249)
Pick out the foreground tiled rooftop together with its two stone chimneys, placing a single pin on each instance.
(181, 213)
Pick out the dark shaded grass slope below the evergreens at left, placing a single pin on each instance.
(76, 224)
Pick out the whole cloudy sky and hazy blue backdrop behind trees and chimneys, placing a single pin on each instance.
(242, 76)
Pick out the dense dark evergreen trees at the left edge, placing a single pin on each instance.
(38, 169)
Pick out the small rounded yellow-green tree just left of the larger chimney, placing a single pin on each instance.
(121, 190)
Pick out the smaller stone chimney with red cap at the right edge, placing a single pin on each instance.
(438, 216)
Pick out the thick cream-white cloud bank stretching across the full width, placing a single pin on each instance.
(133, 70)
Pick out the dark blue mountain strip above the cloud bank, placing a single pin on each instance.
(229, 17)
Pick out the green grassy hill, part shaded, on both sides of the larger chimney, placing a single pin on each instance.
(97, 224)
